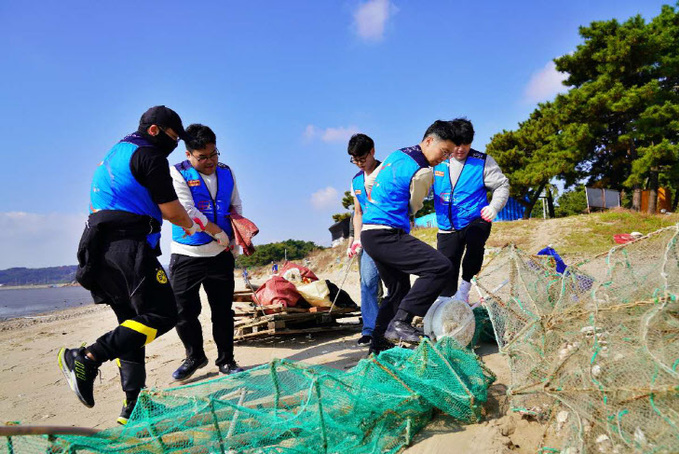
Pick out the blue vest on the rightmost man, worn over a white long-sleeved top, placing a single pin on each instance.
(457, 207)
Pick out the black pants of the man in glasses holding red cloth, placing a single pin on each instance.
(216, 276)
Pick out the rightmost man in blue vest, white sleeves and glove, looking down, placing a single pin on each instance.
(463, 213)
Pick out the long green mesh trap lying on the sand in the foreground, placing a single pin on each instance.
(291, 407)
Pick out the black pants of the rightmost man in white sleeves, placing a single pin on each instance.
(472, 238)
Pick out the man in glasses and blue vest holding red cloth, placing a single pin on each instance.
(207, 190)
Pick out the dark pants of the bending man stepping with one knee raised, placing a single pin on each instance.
(397, 256)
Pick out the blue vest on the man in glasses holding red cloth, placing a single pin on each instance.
(216, 210)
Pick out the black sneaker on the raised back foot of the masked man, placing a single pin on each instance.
(80, 373)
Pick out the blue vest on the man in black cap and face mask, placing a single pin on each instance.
(115, 188)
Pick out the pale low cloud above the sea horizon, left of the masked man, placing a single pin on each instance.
(35, 240)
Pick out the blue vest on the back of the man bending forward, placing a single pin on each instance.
(389, 197)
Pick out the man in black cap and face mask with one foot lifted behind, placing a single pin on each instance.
(130, 196)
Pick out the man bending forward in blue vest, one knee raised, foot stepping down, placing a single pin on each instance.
(396, 191)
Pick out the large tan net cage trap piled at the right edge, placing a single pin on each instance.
(594, 351)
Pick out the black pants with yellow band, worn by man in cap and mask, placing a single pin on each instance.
(131, 280)
